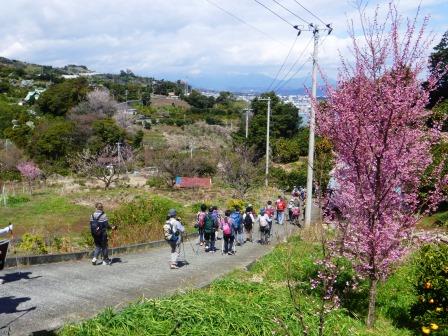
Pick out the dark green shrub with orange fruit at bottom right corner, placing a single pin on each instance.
(431, 309)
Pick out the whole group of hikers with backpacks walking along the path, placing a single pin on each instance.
(234, 227)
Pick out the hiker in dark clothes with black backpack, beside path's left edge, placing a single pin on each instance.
(99, 224)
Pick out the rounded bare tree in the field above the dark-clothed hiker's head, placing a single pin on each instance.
(106, 165)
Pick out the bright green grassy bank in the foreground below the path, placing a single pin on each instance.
(254, 302)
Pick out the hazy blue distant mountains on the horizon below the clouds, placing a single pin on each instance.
(250, 83)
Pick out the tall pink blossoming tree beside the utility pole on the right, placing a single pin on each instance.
(376, 121)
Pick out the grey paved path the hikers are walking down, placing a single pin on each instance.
(42, 298)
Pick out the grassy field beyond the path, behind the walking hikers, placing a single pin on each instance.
(51, 214)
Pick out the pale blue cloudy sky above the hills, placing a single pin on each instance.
(180, 38)
